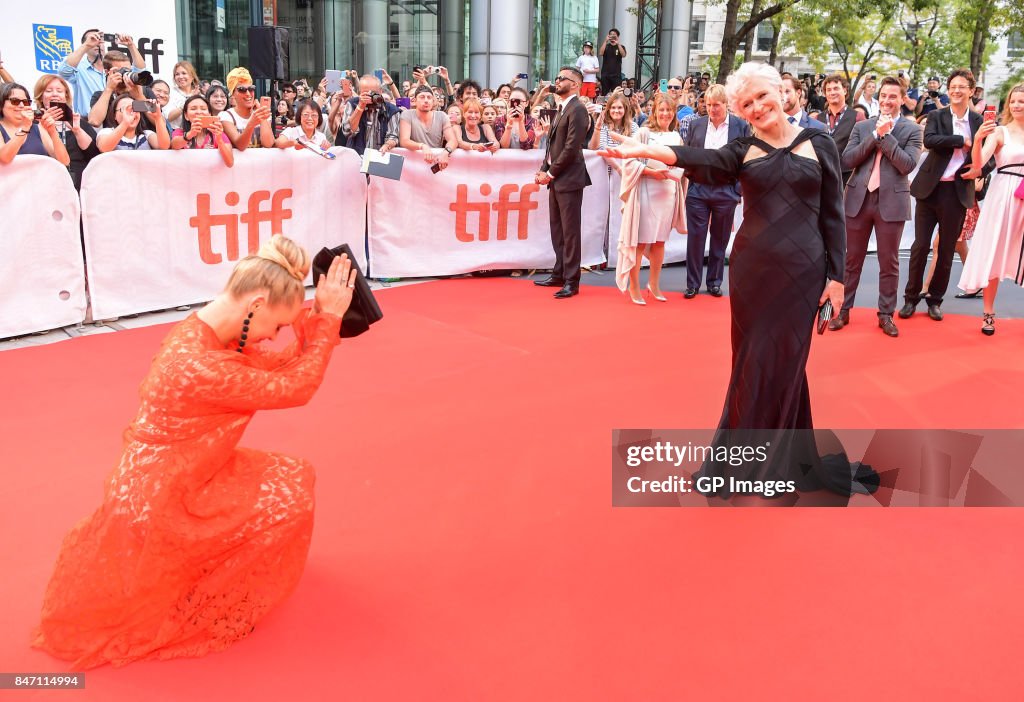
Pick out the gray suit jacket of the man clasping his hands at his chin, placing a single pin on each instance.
(901, 151)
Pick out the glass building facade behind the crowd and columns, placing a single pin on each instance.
(365, 35)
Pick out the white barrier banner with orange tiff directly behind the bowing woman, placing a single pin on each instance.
(165, 229)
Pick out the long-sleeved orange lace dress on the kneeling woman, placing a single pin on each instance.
(196, 539)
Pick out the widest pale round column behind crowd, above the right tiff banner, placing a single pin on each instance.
(499, 36)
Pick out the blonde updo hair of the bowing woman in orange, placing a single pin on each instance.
(280, 268)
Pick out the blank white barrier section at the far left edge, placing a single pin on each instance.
(42, 280)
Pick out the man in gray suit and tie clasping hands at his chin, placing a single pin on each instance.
(882, 152)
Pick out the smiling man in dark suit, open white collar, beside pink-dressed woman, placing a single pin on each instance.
(944, 196)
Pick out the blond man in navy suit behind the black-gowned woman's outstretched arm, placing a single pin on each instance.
(711, 207)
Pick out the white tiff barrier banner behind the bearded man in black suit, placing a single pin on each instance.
(483, 212)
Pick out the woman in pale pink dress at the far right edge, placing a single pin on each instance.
(998, 247)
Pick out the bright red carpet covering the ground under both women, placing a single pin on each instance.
(466, 548)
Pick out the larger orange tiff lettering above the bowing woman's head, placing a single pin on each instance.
(204, 222)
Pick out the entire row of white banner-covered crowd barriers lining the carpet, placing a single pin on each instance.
(163, 230)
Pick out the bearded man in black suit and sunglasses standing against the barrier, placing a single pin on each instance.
(565, 172)
